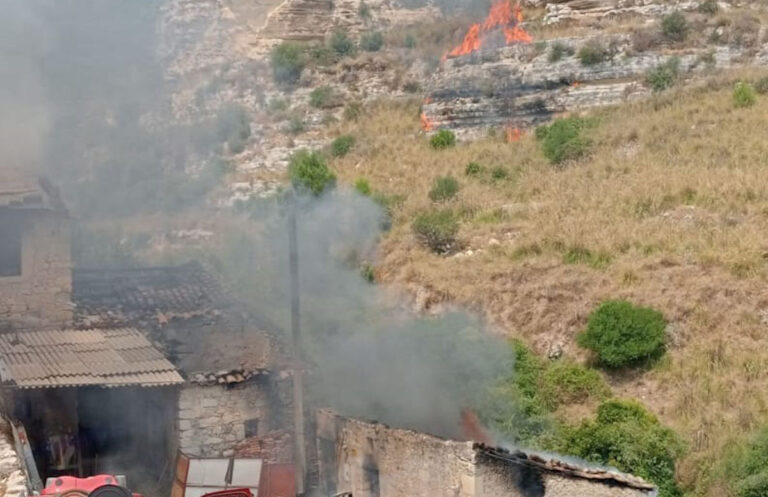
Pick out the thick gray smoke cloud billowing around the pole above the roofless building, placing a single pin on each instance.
(373, 356)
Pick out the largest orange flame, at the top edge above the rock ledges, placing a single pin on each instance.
(502, 15)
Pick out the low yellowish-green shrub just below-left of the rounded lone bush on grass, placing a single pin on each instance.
(566, 382)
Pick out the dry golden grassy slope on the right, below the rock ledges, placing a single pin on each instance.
(675, 199)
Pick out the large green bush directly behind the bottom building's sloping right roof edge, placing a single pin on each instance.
(625, 435)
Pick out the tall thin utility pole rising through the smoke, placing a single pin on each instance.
(300, 459)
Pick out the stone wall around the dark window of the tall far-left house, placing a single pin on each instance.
(43, 292)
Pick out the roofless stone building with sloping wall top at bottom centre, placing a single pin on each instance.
(369, 459)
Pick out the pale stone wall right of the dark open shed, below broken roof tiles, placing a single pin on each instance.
(212, 419)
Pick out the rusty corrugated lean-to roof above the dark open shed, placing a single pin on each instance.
(65, 358)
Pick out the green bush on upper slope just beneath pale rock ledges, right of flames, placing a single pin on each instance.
(564, 139)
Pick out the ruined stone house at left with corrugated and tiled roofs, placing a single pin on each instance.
(116, 369)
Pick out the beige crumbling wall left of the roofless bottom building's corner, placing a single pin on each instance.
(374, 460)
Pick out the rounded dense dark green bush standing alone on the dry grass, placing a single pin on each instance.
(622, 334)
